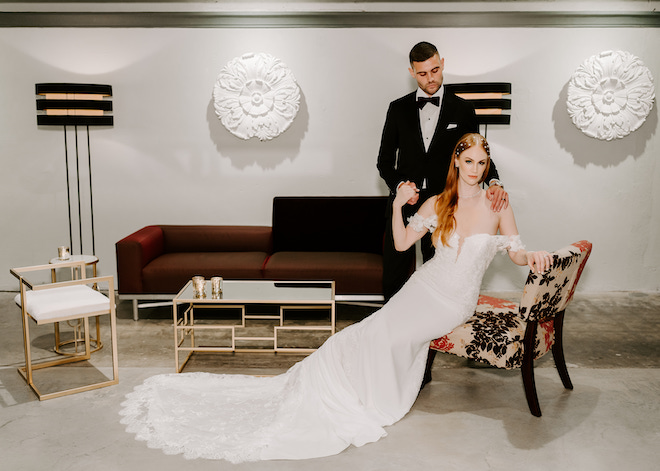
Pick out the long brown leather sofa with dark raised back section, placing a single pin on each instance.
(311, 238)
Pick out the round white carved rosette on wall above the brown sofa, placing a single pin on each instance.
(256, 95)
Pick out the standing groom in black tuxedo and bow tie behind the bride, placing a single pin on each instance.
(420, 132)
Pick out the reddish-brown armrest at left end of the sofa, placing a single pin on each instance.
(134, 252)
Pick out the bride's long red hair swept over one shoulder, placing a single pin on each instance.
(445, 205)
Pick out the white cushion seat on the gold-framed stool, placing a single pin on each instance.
(68, 302)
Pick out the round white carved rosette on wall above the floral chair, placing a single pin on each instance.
(610, 95)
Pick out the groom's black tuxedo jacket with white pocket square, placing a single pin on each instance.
(402, 155)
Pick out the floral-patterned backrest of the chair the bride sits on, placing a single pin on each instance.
(549, 293)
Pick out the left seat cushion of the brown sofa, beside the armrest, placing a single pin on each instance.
(170, 272)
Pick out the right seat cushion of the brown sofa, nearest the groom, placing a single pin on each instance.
(353, 273)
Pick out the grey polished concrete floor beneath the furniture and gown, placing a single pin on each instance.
(468, 418)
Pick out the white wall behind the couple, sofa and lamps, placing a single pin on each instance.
(169, 160)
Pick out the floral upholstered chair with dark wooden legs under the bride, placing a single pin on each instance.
(509, 335)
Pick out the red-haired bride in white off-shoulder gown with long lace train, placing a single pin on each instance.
(363, 378)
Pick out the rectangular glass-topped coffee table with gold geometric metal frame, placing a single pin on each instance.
(190, 313)
